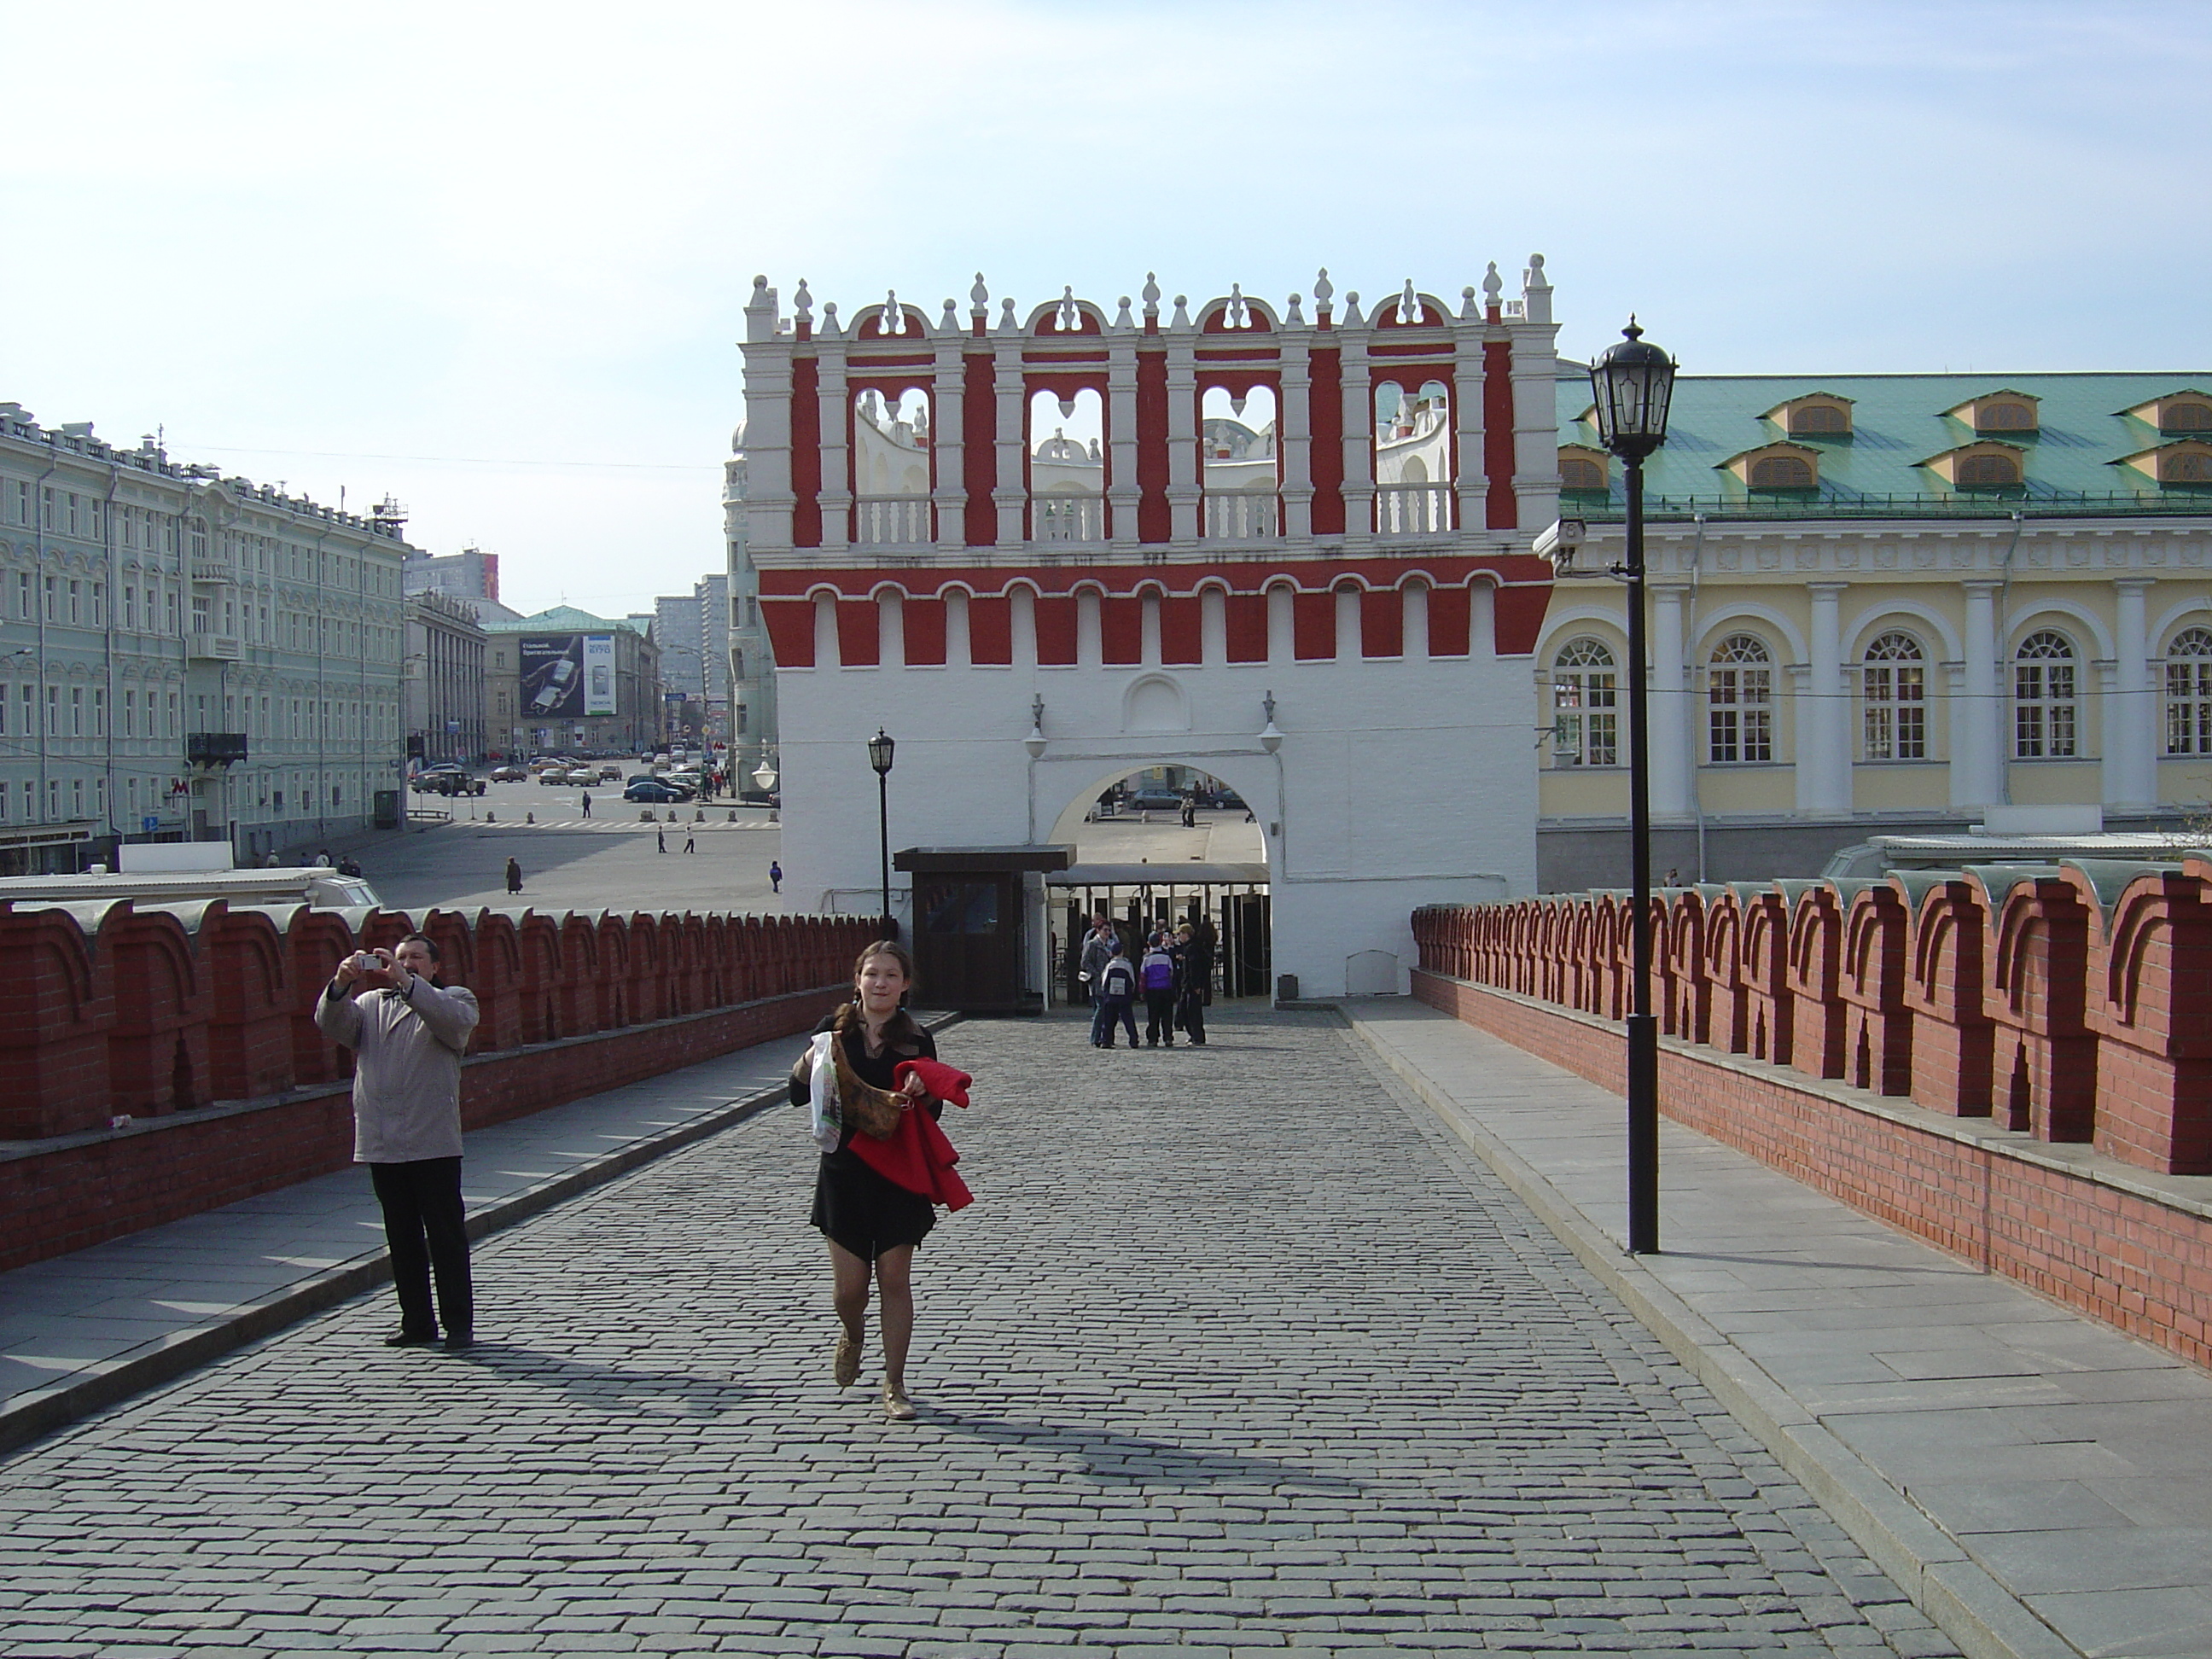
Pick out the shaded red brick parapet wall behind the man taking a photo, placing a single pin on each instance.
(198, 1025)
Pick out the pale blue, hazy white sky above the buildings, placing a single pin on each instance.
(492, 258)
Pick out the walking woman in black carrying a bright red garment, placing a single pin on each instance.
(873, 1196)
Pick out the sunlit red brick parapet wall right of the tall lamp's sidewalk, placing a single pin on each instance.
(2012, 1065)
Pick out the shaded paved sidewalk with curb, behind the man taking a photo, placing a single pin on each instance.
(85, 1331)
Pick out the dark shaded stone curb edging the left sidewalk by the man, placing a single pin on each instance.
(39, 1415)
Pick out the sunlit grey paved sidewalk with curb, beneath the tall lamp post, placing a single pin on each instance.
(2036, 1481)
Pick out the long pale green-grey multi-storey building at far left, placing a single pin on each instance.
(187, 656)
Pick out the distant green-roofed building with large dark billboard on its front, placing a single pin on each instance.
(565, 680)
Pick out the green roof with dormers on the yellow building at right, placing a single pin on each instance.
(1897, 424)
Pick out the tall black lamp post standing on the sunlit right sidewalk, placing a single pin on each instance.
(1634, 386)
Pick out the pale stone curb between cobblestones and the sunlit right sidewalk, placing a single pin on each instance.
(1928, 1563)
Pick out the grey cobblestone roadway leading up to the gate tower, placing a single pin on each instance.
(1235, 1353)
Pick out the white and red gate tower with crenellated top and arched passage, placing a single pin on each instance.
(1326, 614)
